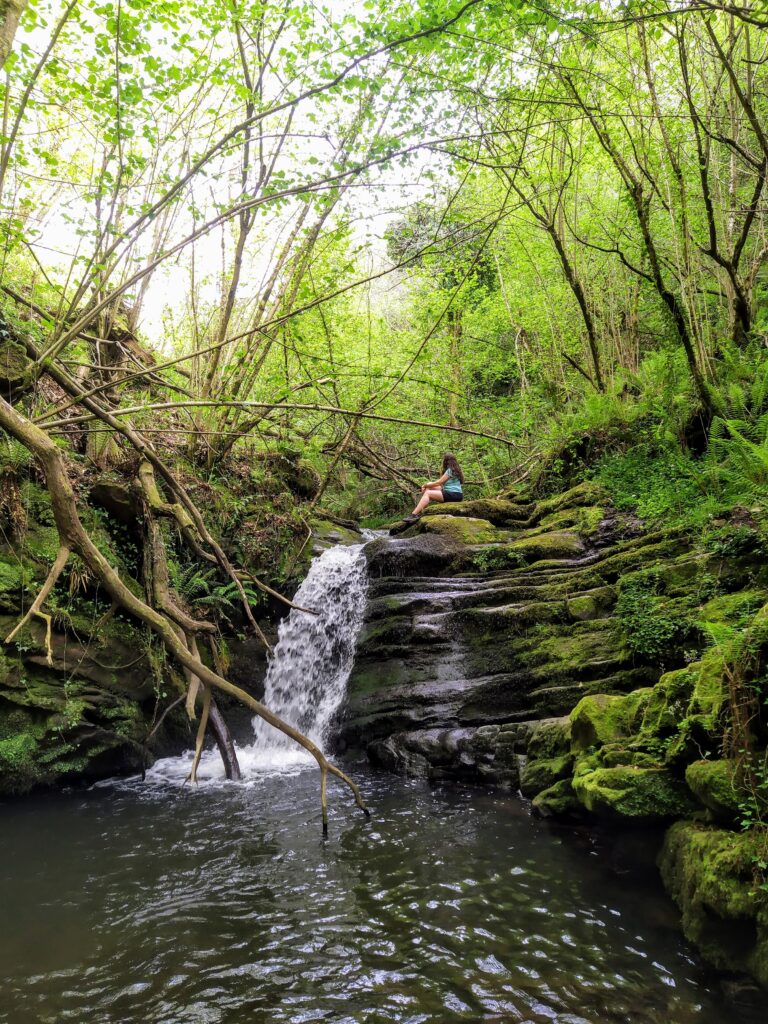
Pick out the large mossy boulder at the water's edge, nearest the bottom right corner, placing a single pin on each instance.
(710, 874)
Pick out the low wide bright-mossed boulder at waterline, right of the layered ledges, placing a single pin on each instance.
(630, 793)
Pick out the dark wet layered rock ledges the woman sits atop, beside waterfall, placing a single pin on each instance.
(453, 646)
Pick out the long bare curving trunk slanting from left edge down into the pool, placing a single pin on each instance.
(74, 538)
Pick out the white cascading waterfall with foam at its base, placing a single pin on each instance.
(308, 674)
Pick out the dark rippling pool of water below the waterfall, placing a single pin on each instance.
(161, 907)
